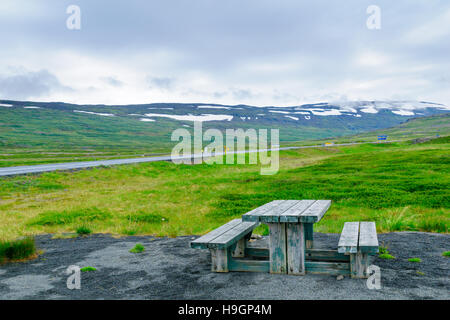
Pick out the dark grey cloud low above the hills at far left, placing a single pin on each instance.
(30, 85)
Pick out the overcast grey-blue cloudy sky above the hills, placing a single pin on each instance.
(248, 51)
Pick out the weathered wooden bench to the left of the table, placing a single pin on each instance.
(226, 242)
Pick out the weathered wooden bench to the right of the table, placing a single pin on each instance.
(358, 240)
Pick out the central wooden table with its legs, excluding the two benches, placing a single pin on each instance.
(291, 231)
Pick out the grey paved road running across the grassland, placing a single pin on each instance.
(11, 171)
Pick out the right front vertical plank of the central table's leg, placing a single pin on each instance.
(295, 238)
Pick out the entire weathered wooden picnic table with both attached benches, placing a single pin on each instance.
(291, 249)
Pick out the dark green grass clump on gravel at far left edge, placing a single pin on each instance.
(17, 249)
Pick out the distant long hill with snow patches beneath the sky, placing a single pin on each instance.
(55, 125)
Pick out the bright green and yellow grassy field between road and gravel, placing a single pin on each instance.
(401, 186)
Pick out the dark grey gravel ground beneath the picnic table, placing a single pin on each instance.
(169, 269)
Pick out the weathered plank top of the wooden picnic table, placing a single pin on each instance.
(289, 211)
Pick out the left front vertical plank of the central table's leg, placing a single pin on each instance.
(277, 247)
